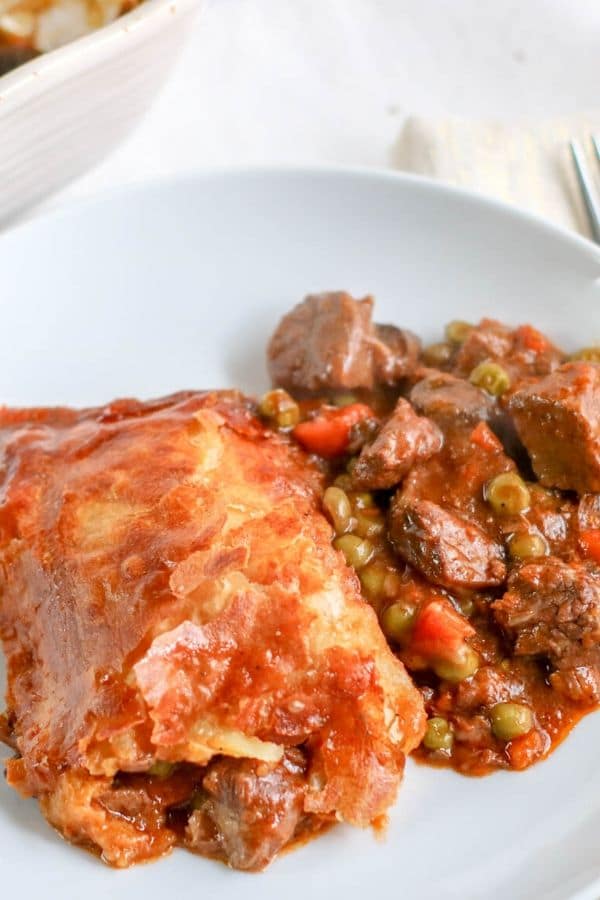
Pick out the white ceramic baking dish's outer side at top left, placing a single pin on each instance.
(64, 111)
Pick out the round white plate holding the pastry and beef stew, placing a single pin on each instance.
(179, 285)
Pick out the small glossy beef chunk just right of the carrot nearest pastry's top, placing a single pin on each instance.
(404, 438)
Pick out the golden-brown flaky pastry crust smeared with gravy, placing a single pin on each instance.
(169, 592)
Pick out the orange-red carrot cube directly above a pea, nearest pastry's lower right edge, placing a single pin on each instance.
(440, 631)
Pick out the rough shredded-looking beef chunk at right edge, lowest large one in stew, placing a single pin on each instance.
(552, 609)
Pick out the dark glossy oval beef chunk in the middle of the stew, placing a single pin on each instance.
(448, 550)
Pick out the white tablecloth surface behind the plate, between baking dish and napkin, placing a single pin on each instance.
(265, 81)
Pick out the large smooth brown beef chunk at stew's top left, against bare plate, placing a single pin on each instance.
(328, 342)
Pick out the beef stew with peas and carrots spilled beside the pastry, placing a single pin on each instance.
(462, 490)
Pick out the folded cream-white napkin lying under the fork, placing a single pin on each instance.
(528, 165)
